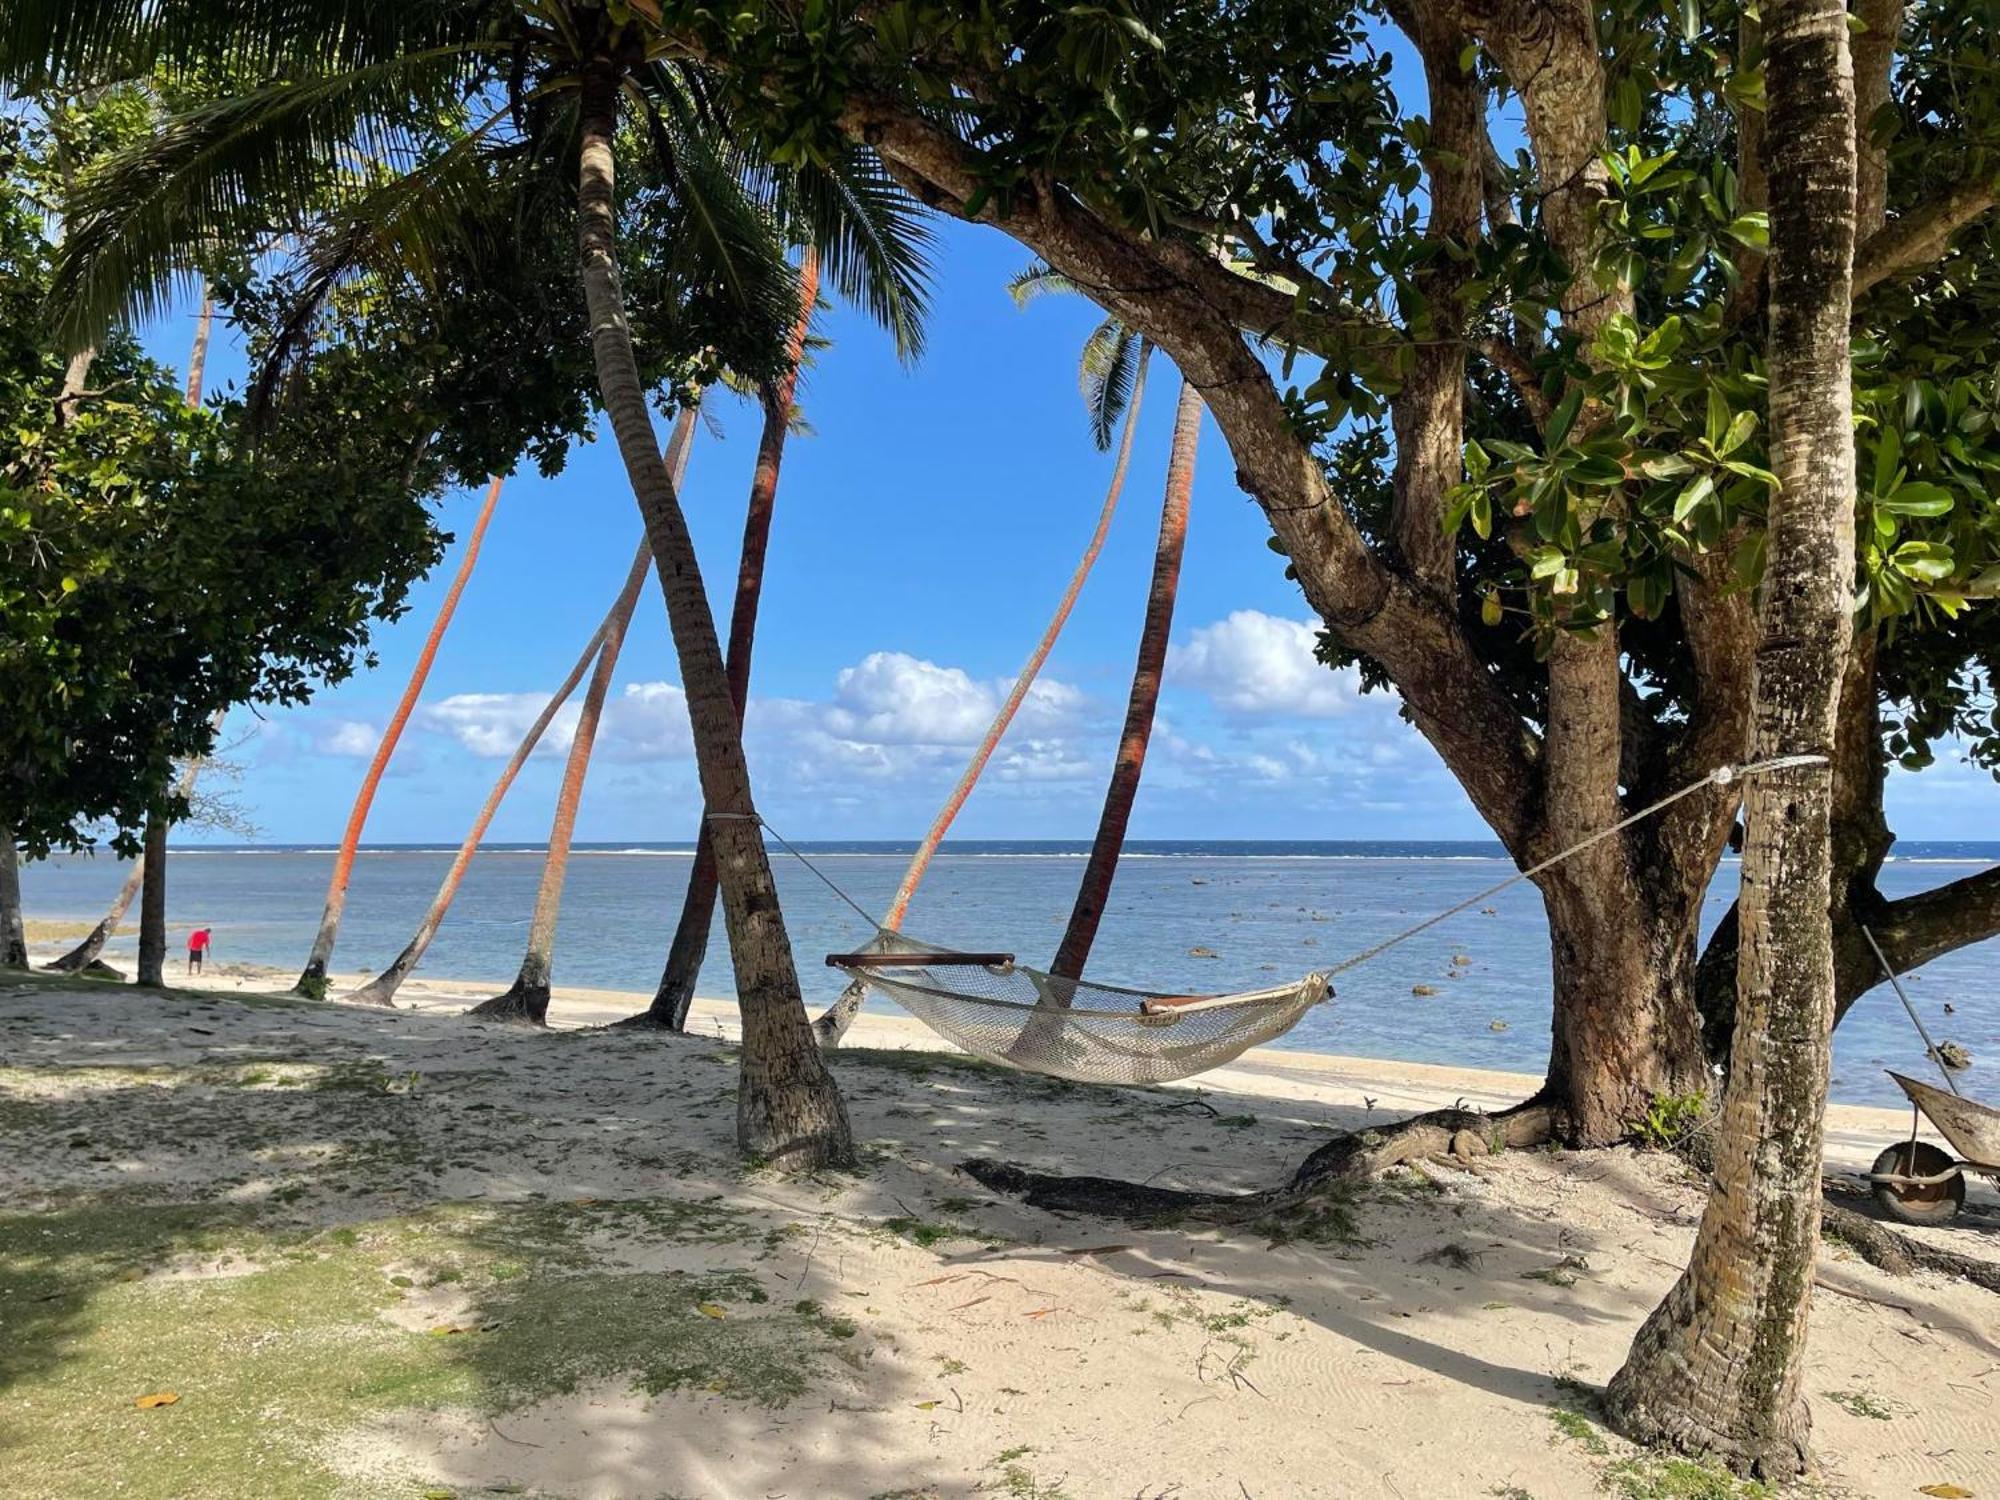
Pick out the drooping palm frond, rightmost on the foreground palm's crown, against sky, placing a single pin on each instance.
(873, 239)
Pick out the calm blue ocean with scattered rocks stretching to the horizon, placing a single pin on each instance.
(1263, 911)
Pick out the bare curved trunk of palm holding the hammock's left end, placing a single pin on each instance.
(787, 1105)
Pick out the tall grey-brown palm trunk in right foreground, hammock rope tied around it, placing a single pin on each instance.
(1719, 1367)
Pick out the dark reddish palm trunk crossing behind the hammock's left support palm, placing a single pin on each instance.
(669, 1009)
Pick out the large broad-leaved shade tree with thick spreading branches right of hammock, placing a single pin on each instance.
(1359, 291)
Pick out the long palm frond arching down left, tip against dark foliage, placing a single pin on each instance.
(237, 173)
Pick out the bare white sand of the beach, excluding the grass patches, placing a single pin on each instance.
(1129, 1363)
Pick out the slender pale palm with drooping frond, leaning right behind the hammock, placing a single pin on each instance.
(1113, 377)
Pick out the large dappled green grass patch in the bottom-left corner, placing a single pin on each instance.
(279, 1343)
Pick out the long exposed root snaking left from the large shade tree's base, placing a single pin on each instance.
(1339, 1163)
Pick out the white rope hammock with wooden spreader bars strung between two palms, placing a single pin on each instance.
(1075, 1029)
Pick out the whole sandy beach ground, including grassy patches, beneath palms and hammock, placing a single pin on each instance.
(407, 1255)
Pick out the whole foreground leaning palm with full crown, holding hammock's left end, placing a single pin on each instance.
(549, 85)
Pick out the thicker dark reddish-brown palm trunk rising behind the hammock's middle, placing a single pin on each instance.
(1123, 791)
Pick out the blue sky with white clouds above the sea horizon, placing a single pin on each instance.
(923, 533)
